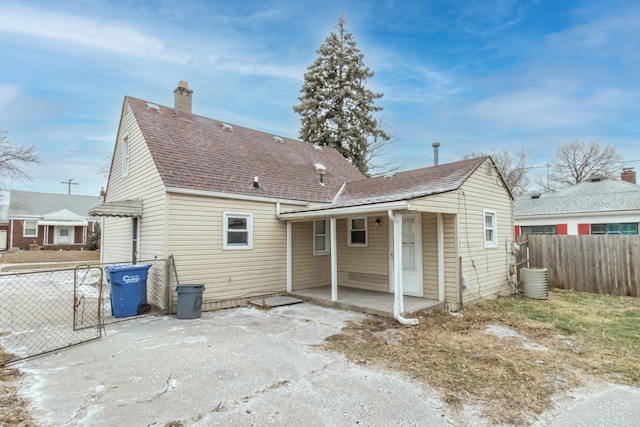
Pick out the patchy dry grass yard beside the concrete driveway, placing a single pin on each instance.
(510, 383)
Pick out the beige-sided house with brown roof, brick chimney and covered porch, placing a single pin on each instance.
(250, 214)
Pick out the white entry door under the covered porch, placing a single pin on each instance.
(412, 255)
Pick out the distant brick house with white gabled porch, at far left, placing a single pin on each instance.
(49, 220)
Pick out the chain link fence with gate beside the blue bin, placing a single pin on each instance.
(44, 311)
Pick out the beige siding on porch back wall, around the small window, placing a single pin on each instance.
(365, 267)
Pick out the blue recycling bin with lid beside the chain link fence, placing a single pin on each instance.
(128, 288)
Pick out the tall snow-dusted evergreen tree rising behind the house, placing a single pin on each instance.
(336, 108)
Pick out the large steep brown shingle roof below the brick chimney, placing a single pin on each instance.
(195, 152)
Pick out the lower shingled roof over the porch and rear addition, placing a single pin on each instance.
(404, 185)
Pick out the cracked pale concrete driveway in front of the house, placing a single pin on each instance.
(238, 367)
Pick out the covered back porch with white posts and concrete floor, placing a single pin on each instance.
(385, 259)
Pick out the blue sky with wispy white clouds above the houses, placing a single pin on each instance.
(473, 75)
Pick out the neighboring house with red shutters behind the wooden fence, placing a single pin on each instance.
(600, 205)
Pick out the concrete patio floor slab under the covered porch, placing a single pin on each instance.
(364, 301)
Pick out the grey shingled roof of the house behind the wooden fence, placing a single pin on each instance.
(602, 195)
